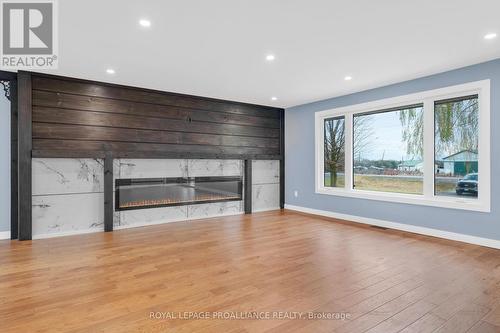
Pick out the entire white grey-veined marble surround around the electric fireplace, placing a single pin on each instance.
(68, 194)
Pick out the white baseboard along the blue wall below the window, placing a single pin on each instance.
(400, 226)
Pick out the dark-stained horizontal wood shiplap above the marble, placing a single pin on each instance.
(74, 117)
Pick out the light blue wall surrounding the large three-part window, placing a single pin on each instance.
(299, 159)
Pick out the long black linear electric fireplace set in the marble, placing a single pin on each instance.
(141, 193)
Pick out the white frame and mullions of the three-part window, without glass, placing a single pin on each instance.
(427, 98)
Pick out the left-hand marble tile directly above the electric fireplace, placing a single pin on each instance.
(151, 168)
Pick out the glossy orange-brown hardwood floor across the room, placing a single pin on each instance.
(385, 281)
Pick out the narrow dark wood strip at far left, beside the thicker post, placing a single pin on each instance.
(14, 230)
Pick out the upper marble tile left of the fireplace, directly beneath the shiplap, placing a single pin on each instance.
(67, 175)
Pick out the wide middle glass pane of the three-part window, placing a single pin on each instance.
(388, 150)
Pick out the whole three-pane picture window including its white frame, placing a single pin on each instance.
(430, 148)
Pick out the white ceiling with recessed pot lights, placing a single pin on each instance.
(217, 48)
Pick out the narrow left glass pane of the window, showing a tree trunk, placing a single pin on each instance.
(334, 152)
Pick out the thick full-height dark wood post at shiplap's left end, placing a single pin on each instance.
(24, 104)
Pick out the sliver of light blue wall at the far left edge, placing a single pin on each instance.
(4, 163)
